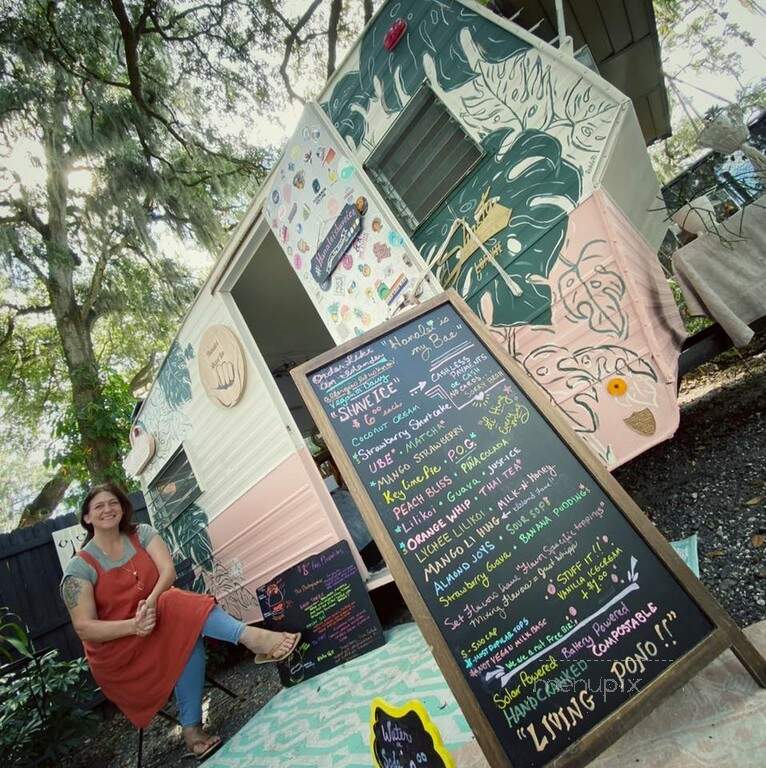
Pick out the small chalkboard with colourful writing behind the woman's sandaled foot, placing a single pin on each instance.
(324, 598)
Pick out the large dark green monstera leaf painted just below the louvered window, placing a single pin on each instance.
(540, 188)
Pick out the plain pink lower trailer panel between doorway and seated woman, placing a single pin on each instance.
(284, 518)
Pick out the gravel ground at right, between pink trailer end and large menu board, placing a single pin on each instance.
(710, 479)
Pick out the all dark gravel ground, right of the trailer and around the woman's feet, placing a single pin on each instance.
(710, 479)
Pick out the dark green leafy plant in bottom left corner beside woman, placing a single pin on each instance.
(42, 715)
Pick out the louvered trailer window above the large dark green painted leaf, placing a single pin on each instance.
(422, 157)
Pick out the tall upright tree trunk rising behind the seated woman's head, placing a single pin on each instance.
(89, 407)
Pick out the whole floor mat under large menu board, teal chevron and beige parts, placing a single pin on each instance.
(718, 719)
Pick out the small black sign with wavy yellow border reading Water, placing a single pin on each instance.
(405, 737)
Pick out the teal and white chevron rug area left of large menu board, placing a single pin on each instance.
(324, 722)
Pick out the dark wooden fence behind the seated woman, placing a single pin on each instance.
(30, 574)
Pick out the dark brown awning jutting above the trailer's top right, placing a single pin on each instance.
(622, 39)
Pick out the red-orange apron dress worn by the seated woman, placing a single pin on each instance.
(138, 674)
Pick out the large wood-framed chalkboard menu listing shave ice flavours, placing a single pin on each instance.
(556, 611)
